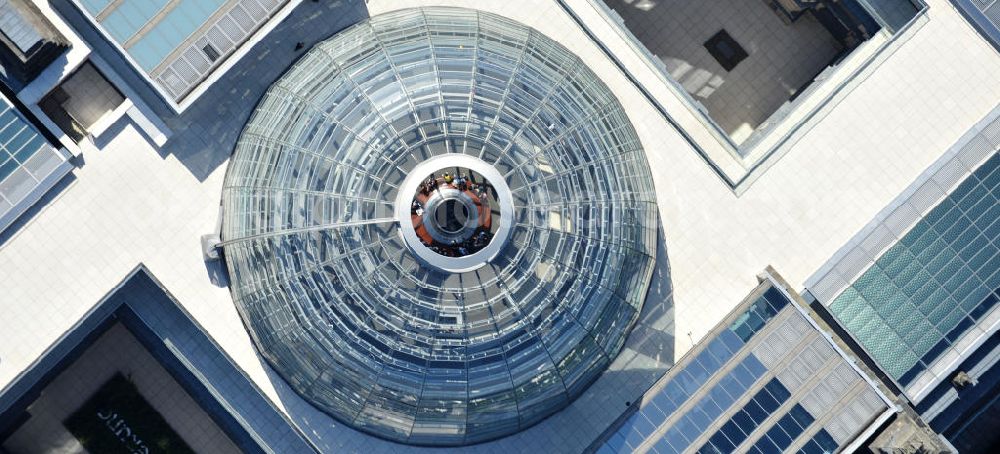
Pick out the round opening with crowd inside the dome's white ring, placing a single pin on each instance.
(454, 212)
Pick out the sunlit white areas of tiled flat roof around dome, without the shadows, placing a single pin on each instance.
(128, 204)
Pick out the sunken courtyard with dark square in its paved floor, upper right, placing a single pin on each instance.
(742, 60)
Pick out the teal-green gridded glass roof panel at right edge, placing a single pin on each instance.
(929, 288)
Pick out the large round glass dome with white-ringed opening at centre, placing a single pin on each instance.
(366, 321)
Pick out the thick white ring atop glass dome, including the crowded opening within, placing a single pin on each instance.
(460, 212)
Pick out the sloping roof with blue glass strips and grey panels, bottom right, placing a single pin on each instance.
(766, 382)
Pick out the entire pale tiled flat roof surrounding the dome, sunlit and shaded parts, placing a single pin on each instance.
(131, 202)
